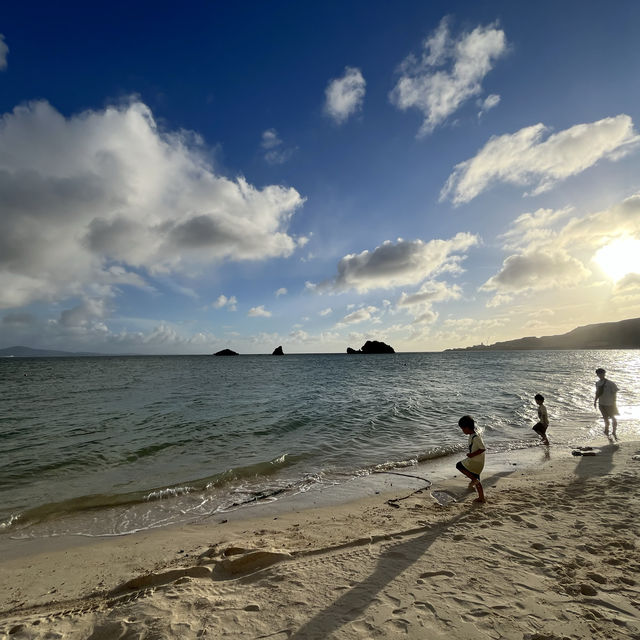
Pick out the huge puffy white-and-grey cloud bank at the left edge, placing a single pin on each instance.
(109, 187)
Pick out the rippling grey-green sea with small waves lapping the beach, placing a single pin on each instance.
(100, 446)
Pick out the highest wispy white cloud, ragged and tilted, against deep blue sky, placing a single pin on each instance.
(448, 72)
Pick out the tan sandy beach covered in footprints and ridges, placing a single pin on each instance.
(553, 554)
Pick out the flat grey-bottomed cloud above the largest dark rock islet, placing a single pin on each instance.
(399, 264)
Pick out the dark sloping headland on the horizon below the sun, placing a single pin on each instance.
(606, 335)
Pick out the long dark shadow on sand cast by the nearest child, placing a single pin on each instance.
(391, 564)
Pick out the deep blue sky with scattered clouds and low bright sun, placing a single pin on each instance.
(184, 178)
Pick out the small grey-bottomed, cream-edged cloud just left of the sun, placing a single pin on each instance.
(536, 270)
